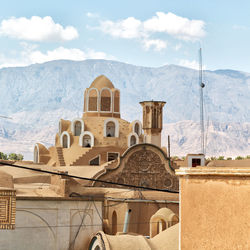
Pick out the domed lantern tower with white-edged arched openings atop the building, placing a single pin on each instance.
(102, 99)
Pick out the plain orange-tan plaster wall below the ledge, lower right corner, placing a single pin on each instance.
(215, 212)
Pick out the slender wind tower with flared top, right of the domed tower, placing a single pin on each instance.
(152, 121)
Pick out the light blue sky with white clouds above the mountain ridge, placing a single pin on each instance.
(145, 33)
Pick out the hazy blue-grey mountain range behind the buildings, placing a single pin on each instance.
(37, 96)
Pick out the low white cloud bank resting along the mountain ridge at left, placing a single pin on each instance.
(31, 55)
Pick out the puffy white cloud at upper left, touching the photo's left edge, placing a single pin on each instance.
(37, 29)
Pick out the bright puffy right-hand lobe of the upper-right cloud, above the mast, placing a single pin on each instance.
(174, 25)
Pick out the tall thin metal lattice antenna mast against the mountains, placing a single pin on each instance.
(202, 85)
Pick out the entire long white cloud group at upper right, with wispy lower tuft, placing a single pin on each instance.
(162, 23)
